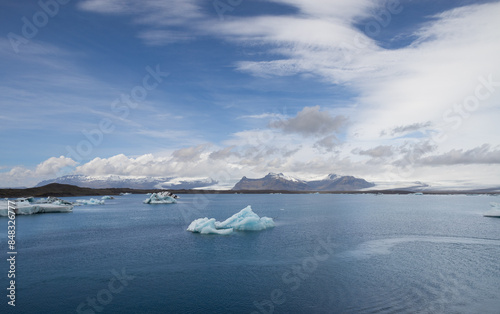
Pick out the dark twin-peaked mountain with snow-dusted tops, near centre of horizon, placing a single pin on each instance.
(279, 181)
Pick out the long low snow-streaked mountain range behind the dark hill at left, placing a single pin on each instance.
(133, 182)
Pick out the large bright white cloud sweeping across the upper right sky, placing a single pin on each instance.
(402, 86)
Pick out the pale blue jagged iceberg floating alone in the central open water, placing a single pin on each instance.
(244, 220)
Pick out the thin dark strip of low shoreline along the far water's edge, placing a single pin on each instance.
(66, 190)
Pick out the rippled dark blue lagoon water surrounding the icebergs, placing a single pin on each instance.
(327, 254)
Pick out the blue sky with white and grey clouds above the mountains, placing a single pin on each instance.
(389, 91)
